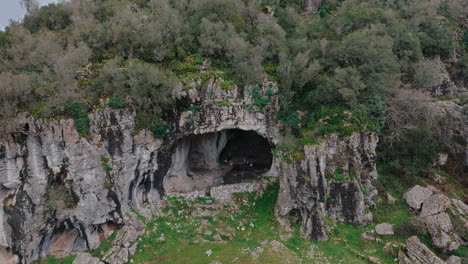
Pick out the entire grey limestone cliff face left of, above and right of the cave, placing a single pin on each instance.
(62, 193)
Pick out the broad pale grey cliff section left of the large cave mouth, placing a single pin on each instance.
(59, 190)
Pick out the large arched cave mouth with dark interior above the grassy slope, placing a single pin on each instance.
(213, 159)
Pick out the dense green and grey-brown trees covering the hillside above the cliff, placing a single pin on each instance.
(362, 64)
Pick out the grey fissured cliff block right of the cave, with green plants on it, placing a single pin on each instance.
(330, 181)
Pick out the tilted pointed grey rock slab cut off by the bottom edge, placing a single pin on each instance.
(416, 252)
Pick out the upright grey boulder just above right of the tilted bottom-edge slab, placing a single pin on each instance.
(443, 235)
